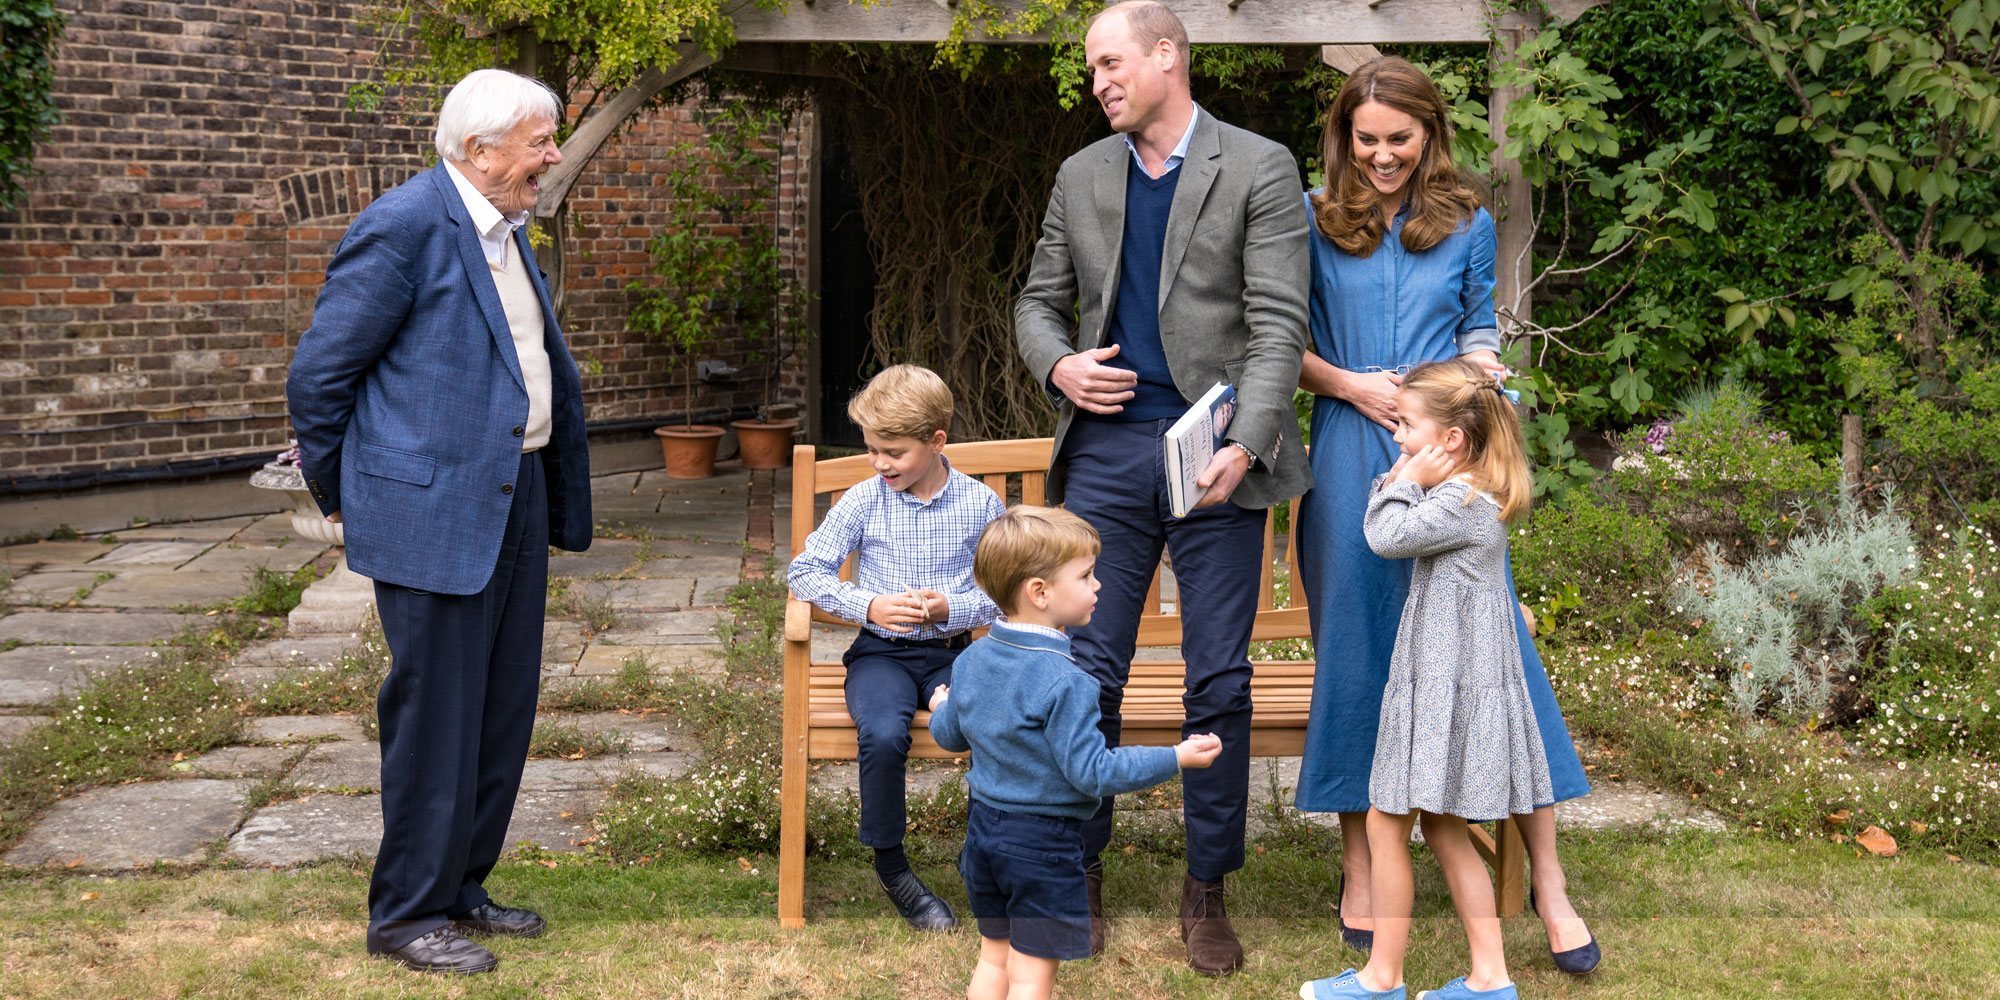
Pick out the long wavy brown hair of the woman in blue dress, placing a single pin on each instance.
(1349, 209)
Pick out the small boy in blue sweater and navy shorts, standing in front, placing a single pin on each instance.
(1039, 759)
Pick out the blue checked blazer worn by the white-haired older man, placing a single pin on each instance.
(409, 401)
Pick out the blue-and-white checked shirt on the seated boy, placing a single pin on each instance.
(903, 543)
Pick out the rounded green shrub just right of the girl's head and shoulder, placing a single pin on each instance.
(1587, 563)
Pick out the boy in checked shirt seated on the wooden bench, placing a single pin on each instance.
(913, 529)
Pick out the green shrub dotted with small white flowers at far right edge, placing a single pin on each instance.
(1935, 681)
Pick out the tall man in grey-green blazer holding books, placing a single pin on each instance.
(1173, 257)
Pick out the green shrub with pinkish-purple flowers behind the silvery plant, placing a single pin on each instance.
(1719, 473)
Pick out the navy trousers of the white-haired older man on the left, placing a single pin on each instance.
(457, 713)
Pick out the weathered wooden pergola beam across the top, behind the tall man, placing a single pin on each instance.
(1245, 23)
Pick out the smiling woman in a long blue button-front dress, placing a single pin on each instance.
(1403, 273)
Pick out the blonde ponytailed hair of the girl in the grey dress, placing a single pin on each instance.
(1463, 395)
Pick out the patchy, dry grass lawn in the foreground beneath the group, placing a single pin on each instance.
(1685, 915)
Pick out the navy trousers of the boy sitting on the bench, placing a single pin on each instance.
(887, 685)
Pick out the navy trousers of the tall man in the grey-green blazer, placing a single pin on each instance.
(1119, 485)
